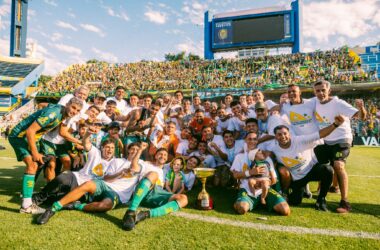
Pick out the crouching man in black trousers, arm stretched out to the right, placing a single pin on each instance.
(299, 165)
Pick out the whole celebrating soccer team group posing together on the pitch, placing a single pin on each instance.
(96, 155)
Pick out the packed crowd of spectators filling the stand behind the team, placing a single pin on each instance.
(336, 66)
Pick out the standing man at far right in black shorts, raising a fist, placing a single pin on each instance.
(337, 144)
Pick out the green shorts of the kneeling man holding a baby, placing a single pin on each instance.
(273, 198)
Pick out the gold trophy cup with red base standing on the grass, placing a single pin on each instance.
(204, 201)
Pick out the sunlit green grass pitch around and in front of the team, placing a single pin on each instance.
(78, 230)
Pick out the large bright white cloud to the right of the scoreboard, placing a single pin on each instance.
(337, 17)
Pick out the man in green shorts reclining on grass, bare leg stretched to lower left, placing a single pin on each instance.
(117, 187)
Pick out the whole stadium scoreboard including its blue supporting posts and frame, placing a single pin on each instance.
(272, 27)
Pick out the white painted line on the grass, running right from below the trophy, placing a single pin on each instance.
(279, 228)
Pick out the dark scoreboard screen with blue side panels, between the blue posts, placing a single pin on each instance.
(251, 30)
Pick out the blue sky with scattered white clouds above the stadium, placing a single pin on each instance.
(73, 31)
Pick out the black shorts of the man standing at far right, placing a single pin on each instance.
(330, 153)
